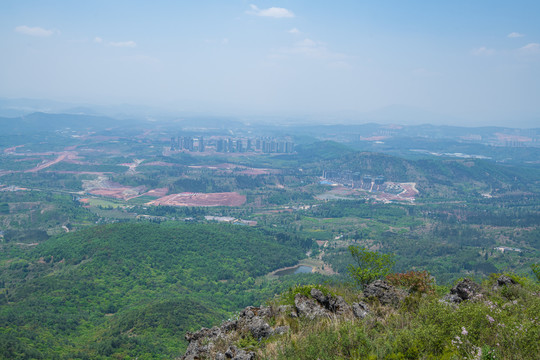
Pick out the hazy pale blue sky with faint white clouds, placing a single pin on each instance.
(454, 62)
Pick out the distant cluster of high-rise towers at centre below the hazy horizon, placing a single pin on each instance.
(233, 145)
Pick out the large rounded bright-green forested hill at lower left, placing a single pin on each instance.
(133, 289)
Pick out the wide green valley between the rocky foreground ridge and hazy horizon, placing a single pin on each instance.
(109, 237)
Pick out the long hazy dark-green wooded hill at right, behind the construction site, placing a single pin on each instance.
(435, 177)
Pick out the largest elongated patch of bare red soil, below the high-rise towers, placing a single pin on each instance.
(199, 199)
